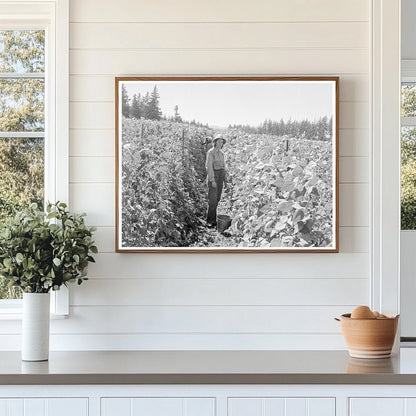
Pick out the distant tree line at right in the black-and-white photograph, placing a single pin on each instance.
(305, 129)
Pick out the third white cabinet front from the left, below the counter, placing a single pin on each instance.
(281, 406)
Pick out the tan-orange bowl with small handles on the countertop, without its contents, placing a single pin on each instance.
(369, 338)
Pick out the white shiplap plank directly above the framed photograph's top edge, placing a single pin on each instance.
(220, 62)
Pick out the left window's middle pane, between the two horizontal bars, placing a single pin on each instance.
(22, 105)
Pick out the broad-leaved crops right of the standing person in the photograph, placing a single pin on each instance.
(279, 197)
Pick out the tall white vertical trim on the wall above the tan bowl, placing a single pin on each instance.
(385, 113)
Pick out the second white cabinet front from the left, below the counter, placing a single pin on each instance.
(159, 406)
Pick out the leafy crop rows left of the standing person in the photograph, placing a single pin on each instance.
(163, 189)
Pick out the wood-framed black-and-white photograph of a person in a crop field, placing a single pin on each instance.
(226, 164)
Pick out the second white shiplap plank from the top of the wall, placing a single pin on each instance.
(218, 35)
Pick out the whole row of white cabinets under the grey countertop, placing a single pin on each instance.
(208, 400)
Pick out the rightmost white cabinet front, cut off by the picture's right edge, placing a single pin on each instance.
(382, 406)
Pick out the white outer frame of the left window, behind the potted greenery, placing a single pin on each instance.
(53, 17)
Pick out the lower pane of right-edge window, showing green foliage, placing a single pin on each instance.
(408, 178)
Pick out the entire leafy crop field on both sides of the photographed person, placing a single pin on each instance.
(279, 193)
